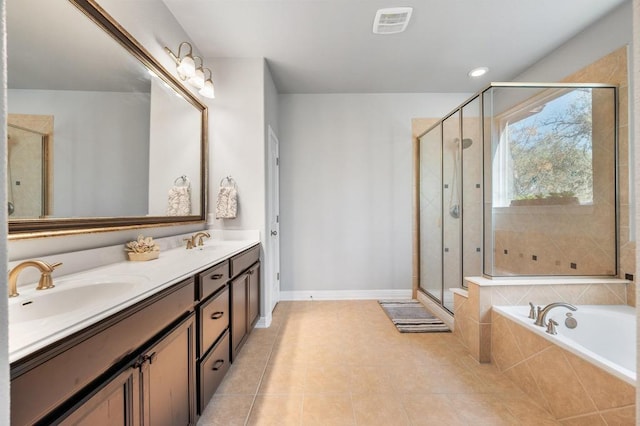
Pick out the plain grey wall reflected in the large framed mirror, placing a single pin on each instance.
(99, 165)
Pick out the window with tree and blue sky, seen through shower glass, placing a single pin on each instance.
(544, 153)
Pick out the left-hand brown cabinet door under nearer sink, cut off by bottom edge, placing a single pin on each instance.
(116, 404)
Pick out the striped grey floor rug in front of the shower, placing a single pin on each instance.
(410, 316)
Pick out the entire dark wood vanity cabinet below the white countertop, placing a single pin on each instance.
(158, 362)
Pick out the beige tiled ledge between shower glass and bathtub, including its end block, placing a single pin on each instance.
(472, 307)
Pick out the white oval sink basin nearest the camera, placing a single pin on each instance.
(71, 295)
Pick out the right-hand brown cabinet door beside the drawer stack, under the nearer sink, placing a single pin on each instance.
(168, 379)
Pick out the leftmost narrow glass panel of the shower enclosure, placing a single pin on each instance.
(431, 212)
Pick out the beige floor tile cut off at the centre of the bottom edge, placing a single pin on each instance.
(327, 410)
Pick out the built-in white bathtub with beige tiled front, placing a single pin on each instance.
(574, 390)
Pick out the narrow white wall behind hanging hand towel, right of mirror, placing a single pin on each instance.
(236, 138)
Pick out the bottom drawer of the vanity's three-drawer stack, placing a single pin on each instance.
(211, 371)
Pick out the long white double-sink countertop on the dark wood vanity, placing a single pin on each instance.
(174, 265)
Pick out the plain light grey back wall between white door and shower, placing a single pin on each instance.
(345, 189)
